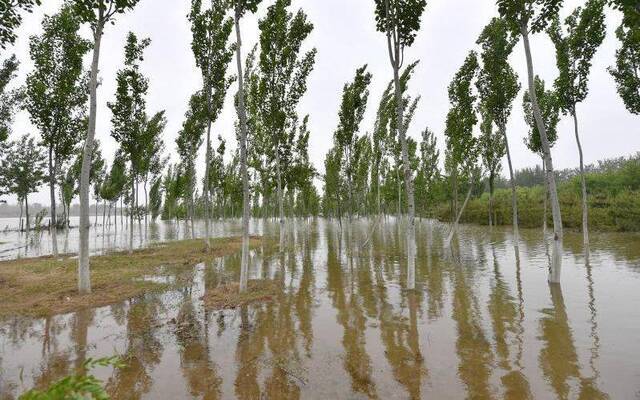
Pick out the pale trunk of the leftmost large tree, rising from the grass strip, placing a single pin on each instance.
(84, 273)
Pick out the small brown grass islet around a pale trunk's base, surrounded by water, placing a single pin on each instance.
(229, 296)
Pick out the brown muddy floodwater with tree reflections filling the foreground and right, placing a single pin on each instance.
(483, 323)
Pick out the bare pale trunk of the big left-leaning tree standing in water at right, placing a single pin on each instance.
(554, 276)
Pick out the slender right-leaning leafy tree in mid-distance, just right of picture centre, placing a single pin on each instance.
(354, 103)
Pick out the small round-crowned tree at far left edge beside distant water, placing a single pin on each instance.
(24, 170)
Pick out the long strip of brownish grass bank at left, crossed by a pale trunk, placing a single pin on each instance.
(46, 285)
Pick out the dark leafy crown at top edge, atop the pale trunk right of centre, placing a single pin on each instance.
(400, 19)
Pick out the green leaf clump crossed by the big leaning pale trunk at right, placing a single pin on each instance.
(550, 109)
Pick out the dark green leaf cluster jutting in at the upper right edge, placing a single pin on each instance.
(625, 72)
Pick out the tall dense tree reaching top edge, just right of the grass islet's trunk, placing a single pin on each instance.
(284, 71)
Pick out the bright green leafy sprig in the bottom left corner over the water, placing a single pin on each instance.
(77, 386)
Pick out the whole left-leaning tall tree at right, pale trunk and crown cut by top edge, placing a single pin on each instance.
(529, 17)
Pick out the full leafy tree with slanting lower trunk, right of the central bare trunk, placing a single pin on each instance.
(462, 146)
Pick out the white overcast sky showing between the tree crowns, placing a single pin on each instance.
(346, 38)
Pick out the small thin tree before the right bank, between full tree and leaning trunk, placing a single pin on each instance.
(492, 148)
